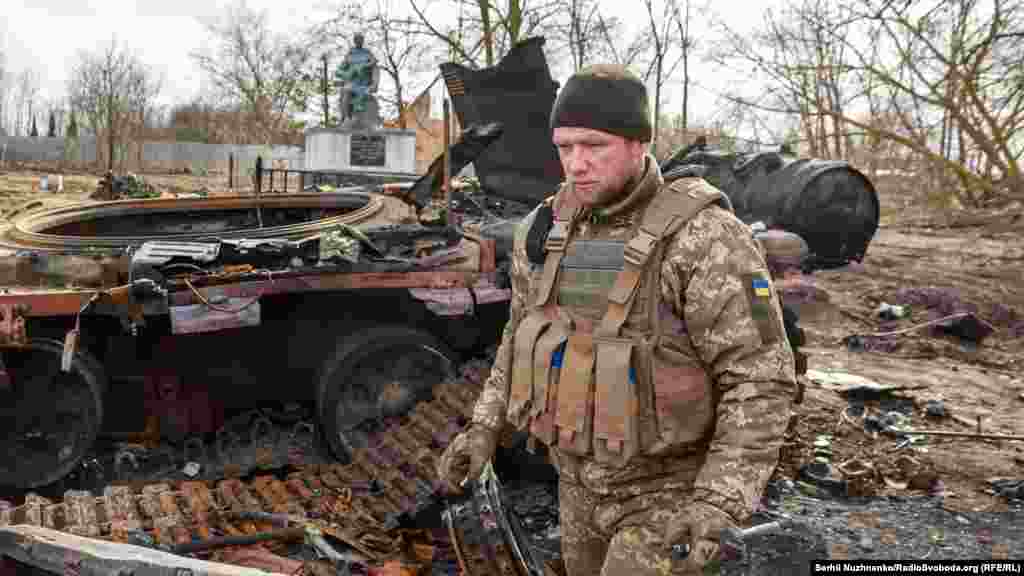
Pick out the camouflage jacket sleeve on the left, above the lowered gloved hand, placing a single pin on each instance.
(492, 405)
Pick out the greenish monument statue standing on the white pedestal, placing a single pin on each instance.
(358, 77)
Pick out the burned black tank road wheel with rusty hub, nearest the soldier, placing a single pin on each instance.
(375, 375)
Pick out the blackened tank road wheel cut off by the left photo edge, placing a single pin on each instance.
(49, 419)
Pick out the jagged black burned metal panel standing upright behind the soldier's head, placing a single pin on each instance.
(524, 164)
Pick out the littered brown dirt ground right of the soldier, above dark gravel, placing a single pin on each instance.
(936, 264)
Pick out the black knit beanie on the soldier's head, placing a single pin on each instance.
(606, 98)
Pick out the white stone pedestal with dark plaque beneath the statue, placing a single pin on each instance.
(385, 150)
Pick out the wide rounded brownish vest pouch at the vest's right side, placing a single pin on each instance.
(684, 403)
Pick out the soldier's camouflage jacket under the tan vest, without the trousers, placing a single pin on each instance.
(702, 285)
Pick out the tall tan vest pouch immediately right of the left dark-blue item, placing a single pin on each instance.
(574, 421)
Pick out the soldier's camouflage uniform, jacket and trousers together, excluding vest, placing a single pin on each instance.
(614, 519)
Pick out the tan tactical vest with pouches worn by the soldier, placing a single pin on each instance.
(593, 374)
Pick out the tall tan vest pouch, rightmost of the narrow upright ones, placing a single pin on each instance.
(617, 407)
